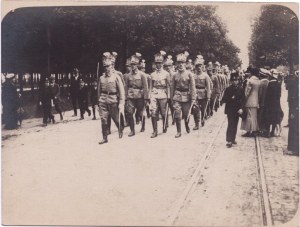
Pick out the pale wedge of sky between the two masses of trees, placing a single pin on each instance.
(238, 18)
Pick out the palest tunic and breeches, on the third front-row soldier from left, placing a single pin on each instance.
(159, 92)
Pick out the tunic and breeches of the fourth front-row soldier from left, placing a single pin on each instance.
(183, 92)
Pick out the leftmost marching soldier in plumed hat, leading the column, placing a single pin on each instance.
(111, 95)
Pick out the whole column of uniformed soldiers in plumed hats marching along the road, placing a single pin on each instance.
(186, 88)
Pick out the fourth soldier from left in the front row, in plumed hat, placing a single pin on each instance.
(183, 93)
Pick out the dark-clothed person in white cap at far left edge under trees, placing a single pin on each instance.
(10, 102)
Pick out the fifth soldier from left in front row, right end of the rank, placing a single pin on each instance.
(203, 92)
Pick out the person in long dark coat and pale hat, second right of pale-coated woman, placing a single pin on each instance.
(273, 111)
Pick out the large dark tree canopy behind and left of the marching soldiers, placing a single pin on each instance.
(57, 39)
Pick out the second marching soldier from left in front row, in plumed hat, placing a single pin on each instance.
(136, 93)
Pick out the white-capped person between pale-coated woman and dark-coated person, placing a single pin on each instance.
(261, 115)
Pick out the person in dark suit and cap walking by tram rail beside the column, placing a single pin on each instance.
(234, 98)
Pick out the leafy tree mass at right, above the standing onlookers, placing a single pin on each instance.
(275, 38)
